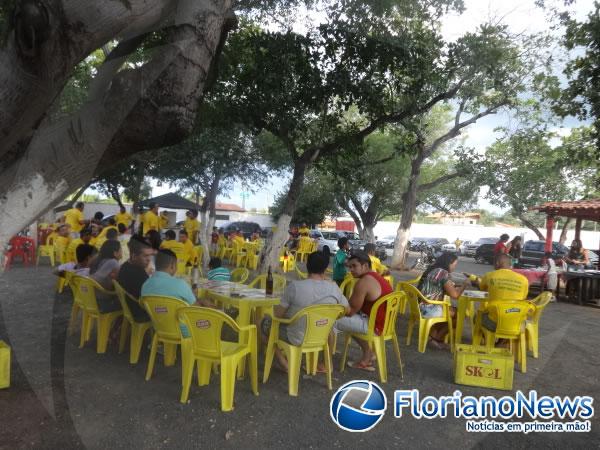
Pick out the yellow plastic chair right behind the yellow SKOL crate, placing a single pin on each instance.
(510, 325)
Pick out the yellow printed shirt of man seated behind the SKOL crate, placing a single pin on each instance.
(504, 285)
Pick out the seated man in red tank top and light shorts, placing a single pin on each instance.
(369, 288)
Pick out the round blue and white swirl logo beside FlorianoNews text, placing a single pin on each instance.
(358, 406)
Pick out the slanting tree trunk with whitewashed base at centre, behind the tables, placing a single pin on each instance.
(280, 236)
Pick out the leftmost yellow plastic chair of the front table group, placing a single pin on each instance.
(86, 294)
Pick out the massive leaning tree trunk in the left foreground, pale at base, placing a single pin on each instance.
(148, 107)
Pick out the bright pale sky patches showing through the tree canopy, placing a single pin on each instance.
(521, 16)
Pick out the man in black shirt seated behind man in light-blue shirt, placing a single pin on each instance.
(133, 274)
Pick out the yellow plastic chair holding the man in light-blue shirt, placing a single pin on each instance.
(163, 314)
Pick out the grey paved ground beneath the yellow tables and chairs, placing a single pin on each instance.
(65, 397)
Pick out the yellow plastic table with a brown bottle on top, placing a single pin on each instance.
(243, 298)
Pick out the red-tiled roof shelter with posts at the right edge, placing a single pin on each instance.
(580, 210)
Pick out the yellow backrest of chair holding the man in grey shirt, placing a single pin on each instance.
(318, 321)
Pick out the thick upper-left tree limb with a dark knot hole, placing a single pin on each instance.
(32, 74)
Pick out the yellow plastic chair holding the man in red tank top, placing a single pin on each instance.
(377, 342)
